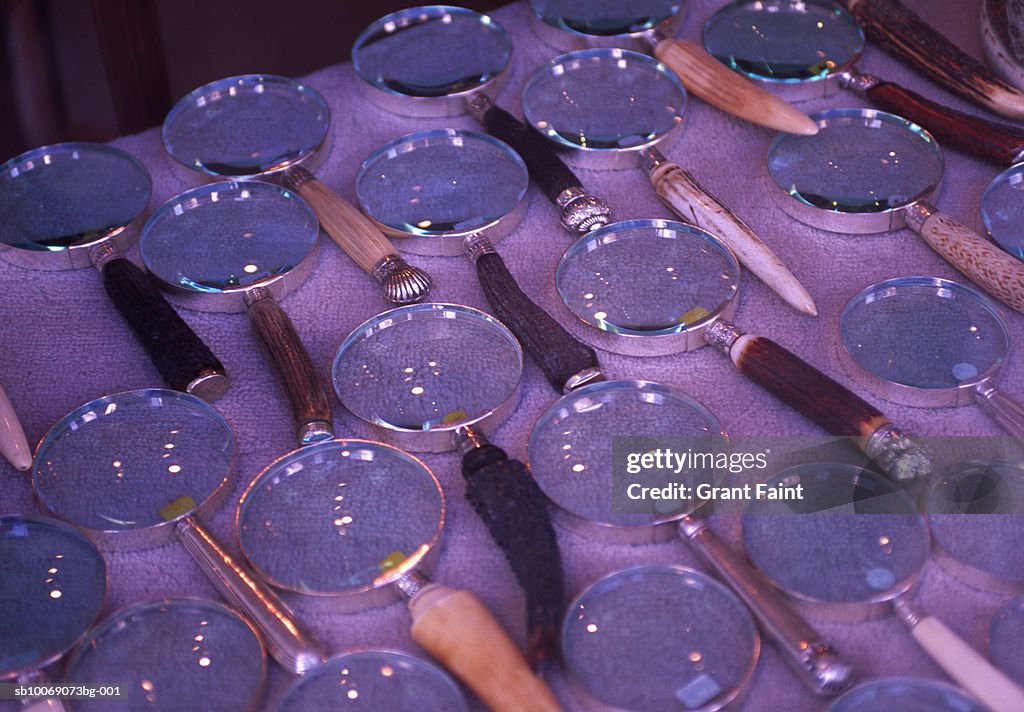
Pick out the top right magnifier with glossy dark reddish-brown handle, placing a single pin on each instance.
(801, 51)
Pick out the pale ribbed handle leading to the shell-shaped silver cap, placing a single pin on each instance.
(348, 227)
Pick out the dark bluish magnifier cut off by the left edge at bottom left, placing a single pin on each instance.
(54, 588)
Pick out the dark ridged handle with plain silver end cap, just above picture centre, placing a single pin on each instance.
(560, 355)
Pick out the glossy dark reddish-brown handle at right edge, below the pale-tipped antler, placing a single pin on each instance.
(989, 140)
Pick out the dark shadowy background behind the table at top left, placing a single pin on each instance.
(93, 70)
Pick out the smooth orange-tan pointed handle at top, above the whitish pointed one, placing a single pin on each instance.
(706, 77)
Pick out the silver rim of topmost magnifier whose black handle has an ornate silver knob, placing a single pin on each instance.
(451, 105)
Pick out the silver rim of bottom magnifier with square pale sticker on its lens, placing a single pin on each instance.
(578, 686)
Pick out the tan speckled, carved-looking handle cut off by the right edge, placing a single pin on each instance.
(995, 271)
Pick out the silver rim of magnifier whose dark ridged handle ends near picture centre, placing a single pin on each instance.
(445, 243)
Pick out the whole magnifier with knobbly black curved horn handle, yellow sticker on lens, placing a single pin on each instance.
(412, 376)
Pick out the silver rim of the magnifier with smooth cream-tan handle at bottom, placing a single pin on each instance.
(385, 590)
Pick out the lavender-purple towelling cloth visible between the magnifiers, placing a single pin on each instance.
(65, 345)
